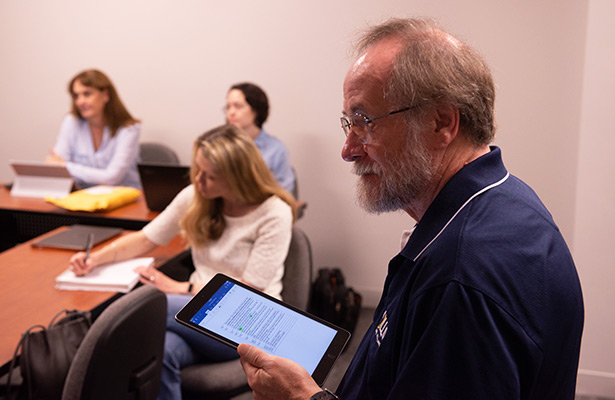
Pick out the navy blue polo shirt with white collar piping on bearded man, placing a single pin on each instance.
(483, 302)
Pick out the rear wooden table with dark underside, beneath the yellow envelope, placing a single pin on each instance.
(23, 218)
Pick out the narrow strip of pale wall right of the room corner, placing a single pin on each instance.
(595, 211)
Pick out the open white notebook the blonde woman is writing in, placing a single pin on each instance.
(114, 277)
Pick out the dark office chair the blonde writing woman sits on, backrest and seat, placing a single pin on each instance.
(226, 380)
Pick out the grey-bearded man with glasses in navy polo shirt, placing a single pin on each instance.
(483, 301)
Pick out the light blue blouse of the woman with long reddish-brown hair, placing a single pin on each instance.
(115, 161)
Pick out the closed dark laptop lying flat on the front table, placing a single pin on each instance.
(76, 237)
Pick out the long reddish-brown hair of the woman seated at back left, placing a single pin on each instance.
(116, 114)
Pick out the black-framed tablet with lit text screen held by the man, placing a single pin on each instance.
(233, 313)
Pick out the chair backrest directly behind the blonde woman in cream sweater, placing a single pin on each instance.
(298, 271)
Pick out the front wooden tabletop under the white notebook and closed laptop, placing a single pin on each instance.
(28, 295)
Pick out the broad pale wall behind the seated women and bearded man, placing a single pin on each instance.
(173, 62)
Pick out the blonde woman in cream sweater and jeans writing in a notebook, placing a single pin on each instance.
(237, 220)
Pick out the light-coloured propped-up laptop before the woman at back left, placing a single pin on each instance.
(40, 179)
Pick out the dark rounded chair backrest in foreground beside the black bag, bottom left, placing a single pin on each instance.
(121, 355)
